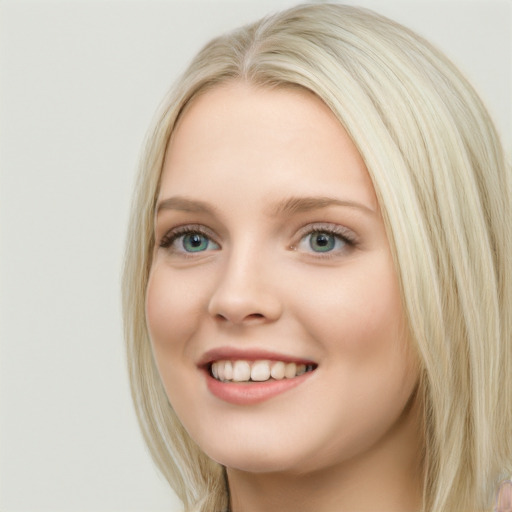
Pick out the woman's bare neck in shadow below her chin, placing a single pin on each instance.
(387, 478)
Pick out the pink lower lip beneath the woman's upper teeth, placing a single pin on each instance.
(248, 393)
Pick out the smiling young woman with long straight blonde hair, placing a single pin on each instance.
(318, 281)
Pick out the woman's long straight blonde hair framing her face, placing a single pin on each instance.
(444, 191)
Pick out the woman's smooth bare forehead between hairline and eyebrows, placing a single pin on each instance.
(278, 139)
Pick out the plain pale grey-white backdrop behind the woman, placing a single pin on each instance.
(79, 83)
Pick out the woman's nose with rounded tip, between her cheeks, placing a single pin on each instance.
(246, 292)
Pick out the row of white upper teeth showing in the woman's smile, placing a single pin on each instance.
(257, 371)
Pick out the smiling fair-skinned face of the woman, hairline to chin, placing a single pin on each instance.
(273, 305)
